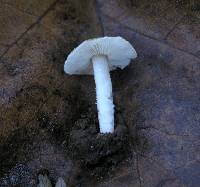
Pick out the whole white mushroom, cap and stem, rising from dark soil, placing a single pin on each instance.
(98, 56)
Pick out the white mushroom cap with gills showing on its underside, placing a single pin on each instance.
(117, 50)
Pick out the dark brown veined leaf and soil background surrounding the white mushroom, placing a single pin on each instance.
(48, 121)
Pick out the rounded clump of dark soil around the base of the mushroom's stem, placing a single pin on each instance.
(97, 153)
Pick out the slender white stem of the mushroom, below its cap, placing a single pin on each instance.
(104, 94)
